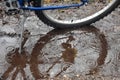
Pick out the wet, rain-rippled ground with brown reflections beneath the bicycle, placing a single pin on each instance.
(87, 53)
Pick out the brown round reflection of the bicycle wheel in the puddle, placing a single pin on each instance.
(68, 52)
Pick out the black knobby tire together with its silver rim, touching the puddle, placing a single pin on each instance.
(44, 17)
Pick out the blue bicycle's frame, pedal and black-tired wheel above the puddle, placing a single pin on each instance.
(64, 13)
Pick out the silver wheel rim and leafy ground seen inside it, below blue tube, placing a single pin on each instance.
(77, 15)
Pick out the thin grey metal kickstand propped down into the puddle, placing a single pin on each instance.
(22, 22)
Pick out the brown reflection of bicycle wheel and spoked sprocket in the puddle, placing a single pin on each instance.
(67, 52)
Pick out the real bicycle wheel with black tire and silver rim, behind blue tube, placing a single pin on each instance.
(77, 16)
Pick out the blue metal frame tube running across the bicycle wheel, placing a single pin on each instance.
(83, 2)
